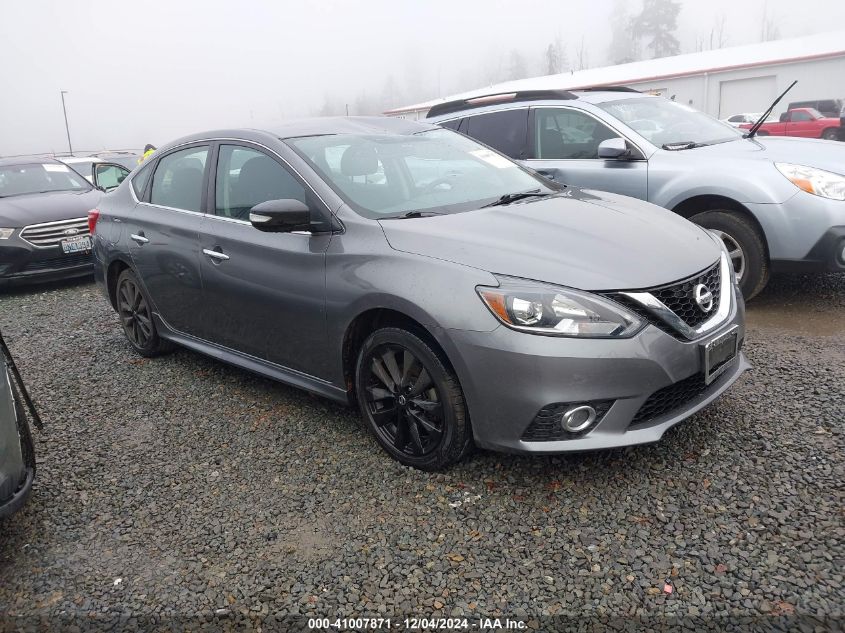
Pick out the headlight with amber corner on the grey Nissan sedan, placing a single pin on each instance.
(546, 309)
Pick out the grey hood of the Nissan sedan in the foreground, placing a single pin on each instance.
(582, 239)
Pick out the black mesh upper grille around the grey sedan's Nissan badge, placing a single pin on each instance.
(679, 297)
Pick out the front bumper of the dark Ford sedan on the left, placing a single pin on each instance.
(21, 262)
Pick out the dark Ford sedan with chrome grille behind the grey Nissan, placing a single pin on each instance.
(43, 221)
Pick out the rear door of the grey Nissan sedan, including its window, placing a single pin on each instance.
(163, 236)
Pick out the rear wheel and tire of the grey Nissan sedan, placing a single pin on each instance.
(135, 311)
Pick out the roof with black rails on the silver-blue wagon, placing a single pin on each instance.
(457, 109)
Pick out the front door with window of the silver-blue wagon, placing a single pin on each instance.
(564, 145)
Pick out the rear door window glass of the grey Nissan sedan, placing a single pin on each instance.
(177, 181)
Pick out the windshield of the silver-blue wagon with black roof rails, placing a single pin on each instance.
(665, 122)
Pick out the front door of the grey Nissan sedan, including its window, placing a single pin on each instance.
(264, 292)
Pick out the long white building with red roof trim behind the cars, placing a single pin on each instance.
(720, 82)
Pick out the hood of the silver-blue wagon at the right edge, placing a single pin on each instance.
(812, 152)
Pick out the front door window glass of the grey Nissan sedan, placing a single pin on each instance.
(247, 177)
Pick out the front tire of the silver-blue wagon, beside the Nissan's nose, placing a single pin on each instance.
(738, 231)
